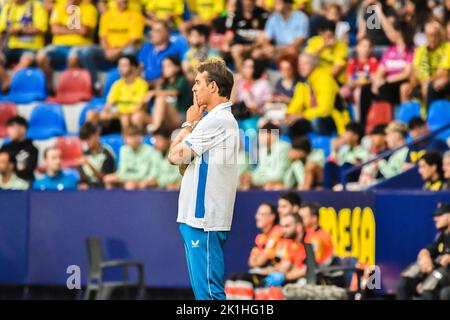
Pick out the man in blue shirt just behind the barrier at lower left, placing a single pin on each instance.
(55, 178)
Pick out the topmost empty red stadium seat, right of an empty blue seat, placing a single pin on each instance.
(74, 86)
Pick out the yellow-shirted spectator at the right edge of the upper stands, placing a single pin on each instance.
(432, 64)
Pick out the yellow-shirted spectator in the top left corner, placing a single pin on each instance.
(23, 24)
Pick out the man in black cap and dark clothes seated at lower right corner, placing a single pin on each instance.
(430, 275)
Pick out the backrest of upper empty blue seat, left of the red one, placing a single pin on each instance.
(29, 81)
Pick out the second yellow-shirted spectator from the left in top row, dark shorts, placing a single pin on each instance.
(72, 25)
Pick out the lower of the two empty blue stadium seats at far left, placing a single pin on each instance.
(46, 121)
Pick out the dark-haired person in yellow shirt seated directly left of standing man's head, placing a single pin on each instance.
(126, 95)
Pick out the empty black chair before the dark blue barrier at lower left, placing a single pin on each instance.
(103, 290)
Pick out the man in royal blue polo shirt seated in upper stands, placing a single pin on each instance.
(161, 46)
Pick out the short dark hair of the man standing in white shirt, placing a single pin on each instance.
(219, 73)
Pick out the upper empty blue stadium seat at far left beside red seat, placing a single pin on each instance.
(27, 85)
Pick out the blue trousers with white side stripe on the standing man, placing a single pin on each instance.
(204, 256)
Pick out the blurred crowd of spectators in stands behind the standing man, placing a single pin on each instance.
(321, 86)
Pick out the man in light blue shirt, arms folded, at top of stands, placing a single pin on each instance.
(286, 28)
